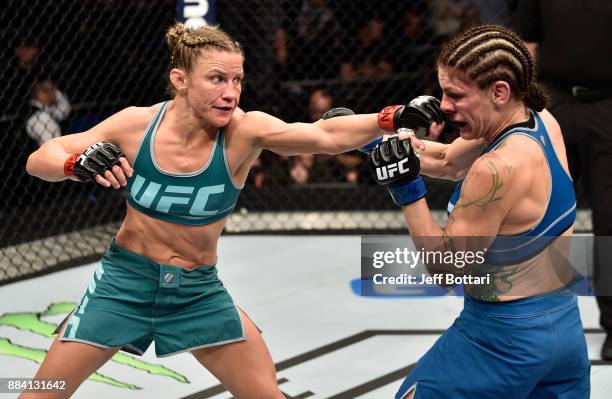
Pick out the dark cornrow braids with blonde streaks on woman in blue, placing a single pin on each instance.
(488, 53)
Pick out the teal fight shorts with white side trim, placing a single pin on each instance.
(132, 301)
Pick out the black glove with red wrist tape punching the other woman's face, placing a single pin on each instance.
(417, 116)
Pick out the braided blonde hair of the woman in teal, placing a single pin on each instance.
(185, 43)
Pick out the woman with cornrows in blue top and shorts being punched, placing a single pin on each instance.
(519, 336)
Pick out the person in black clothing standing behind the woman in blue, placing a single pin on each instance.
(575, 66)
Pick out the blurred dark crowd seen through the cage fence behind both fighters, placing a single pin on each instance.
(68, 70)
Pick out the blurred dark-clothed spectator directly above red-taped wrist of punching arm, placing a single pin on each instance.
(367, 55)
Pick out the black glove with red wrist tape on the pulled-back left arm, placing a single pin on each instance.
(97, 159)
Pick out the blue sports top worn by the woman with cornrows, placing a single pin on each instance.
(561, 209)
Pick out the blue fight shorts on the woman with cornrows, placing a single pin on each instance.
(528, 348)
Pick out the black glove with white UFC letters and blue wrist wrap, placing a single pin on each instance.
(395, 164)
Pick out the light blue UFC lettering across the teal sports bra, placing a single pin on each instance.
(168, 196)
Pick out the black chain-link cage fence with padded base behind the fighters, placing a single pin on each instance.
(67, 65)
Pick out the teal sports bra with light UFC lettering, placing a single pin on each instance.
(198, 198)
